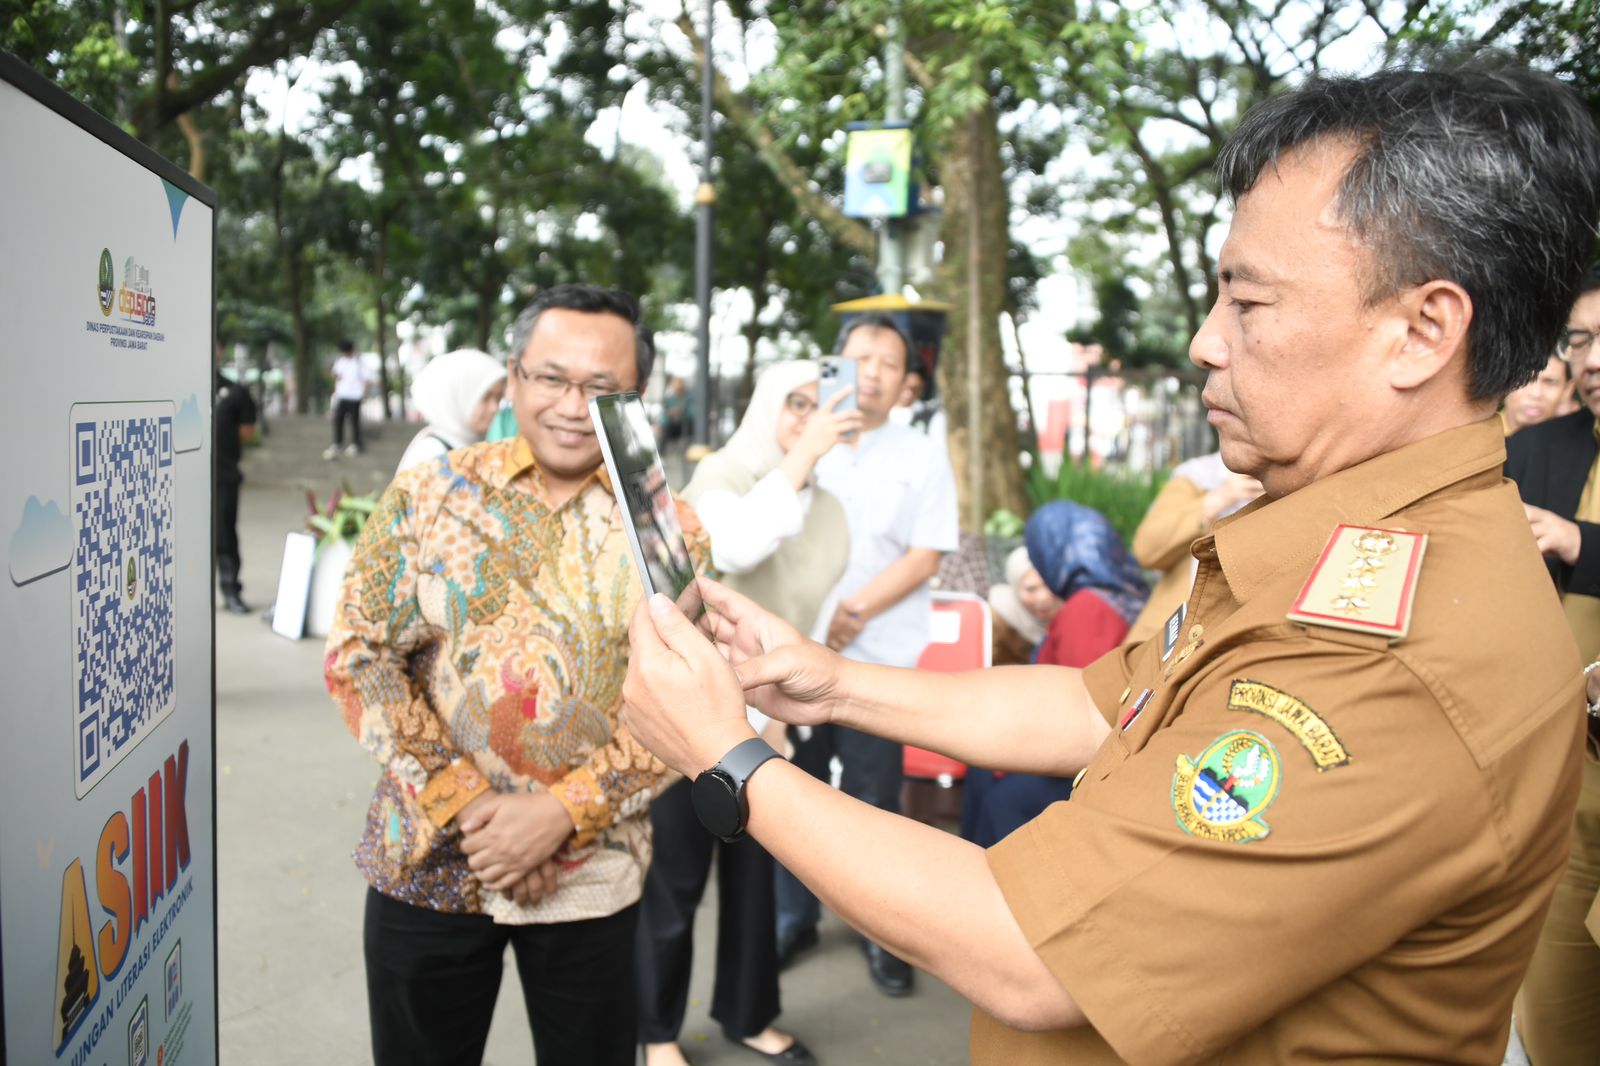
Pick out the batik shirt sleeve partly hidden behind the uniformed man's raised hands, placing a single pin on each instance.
(622, 777)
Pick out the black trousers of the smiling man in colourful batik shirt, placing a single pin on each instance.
(433, 980)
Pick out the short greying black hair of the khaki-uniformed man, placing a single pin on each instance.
(1486, 175)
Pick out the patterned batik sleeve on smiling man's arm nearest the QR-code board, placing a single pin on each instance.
(367, 665)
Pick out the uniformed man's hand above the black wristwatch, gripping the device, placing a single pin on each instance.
(681, 699)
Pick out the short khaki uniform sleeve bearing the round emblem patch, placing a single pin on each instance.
(1207, 883)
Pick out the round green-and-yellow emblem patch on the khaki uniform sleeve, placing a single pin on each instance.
(1222, 795)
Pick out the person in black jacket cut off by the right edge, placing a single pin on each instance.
(1556, 467)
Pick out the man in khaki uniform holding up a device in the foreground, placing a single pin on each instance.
(1322, 812)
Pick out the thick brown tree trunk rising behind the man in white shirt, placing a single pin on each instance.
(974, 182)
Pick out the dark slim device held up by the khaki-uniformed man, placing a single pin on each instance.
(650, 515)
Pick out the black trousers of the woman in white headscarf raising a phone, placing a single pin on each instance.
(745, 996)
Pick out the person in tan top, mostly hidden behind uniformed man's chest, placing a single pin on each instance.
(1199, 492)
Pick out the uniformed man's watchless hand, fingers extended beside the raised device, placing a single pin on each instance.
(785, 676)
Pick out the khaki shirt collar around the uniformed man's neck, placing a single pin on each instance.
(1274, 537)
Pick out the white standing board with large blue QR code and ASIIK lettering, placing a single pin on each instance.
(108, 851)
